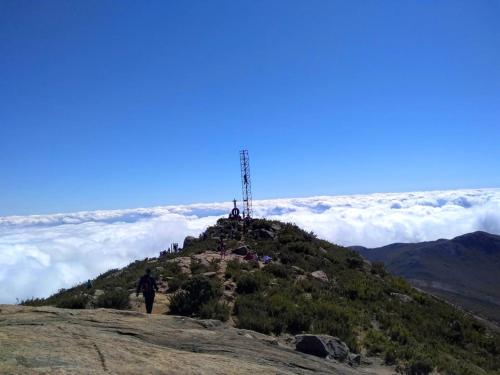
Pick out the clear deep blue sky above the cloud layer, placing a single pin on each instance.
(115, 104)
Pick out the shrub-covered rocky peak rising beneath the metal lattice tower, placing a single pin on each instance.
(310, 286)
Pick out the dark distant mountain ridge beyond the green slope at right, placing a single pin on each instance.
(464, 270)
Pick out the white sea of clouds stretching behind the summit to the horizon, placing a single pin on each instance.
(40, 254)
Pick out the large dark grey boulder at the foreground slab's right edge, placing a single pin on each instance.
(323, 346)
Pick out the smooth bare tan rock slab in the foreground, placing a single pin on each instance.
(47, 340)
